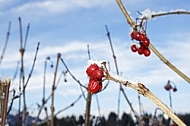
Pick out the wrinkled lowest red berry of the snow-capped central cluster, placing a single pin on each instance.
(93, 86)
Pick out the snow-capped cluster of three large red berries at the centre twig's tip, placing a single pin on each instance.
(95, 81)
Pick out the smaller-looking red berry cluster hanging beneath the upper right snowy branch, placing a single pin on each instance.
(143, 41)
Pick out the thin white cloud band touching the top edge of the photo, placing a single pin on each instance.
(59, 6)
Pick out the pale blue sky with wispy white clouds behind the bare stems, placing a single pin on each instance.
(68, 27)
